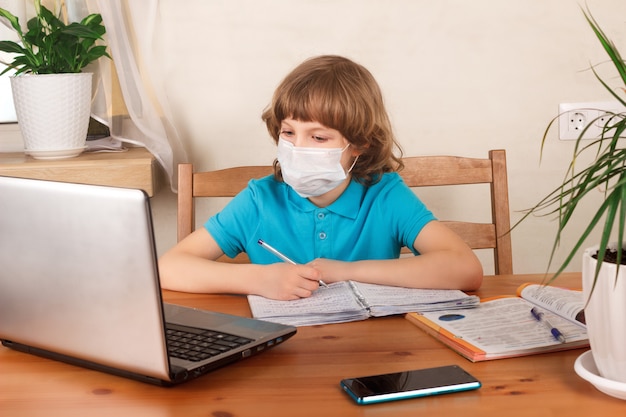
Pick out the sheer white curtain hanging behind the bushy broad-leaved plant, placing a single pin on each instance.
(141, 116)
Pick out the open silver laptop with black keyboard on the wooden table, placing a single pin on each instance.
(79, 283)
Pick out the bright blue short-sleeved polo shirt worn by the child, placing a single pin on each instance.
(363, 223)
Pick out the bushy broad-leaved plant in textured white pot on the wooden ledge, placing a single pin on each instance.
(51, 93)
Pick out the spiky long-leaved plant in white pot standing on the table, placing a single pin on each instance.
(604, 281)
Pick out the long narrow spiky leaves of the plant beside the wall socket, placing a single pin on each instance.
(607, 171)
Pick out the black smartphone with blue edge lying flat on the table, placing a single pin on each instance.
(409, 384)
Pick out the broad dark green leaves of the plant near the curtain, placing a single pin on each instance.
(50, 46)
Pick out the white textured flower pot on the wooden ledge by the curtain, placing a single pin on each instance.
(53, 113)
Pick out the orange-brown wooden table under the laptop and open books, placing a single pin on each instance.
(301, 377)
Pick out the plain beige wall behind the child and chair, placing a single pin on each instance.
(459, 77)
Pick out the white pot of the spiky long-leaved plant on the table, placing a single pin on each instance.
(606, 316)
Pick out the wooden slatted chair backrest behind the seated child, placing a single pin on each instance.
(419, 171)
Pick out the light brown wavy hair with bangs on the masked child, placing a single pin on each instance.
(342, 95)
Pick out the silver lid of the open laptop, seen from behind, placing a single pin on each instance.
(79, 273)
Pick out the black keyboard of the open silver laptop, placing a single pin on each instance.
(196, 345)
